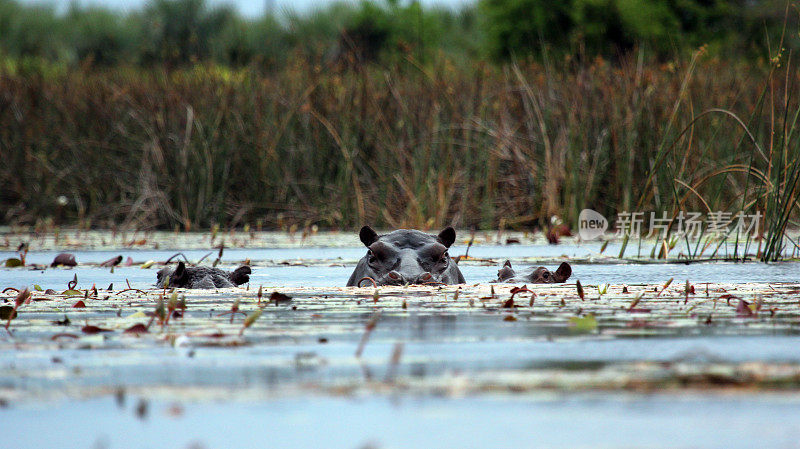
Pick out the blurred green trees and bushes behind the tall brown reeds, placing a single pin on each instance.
(180, 32)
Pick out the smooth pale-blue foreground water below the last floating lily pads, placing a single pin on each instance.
(657, 421)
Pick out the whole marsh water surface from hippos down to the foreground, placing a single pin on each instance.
(296, 383)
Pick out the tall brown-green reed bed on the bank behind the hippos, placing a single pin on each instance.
(402, 145)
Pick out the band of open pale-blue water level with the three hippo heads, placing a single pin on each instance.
(319, 267)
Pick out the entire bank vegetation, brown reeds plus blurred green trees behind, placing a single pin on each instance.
(500, 113)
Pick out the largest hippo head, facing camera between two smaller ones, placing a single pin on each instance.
(407, 257)
